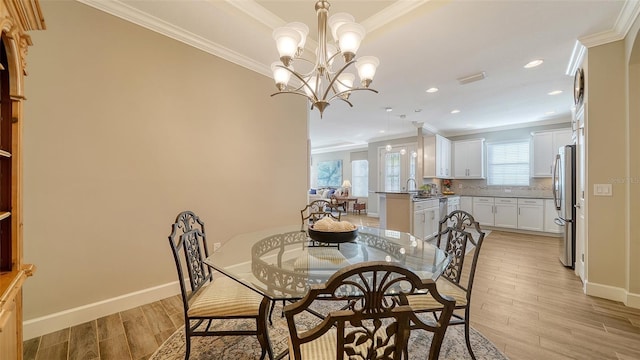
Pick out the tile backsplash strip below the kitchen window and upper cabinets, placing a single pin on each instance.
(539, 187)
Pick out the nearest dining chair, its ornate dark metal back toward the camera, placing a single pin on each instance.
(375, 323)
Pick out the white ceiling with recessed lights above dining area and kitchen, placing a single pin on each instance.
(420, 44)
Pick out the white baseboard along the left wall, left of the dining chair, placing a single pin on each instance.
(53, 322)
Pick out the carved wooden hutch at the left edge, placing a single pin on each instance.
(16, 18)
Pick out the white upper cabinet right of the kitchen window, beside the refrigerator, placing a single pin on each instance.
(545, 147)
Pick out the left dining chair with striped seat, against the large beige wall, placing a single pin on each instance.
(206, 299)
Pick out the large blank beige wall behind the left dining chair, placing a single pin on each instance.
(123, 129)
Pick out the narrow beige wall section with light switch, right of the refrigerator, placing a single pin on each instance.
(607, 157)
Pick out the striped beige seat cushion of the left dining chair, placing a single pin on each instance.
(225, 297)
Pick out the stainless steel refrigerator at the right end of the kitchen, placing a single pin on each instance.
(564, 195)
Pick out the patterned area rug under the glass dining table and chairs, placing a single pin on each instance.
(247, 347)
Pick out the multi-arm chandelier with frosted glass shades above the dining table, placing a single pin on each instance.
(322, 83)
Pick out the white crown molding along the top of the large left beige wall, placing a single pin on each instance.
(133, 15)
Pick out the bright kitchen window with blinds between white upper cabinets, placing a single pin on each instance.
(508, 163)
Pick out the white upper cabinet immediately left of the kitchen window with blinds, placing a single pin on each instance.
(468, 159)
